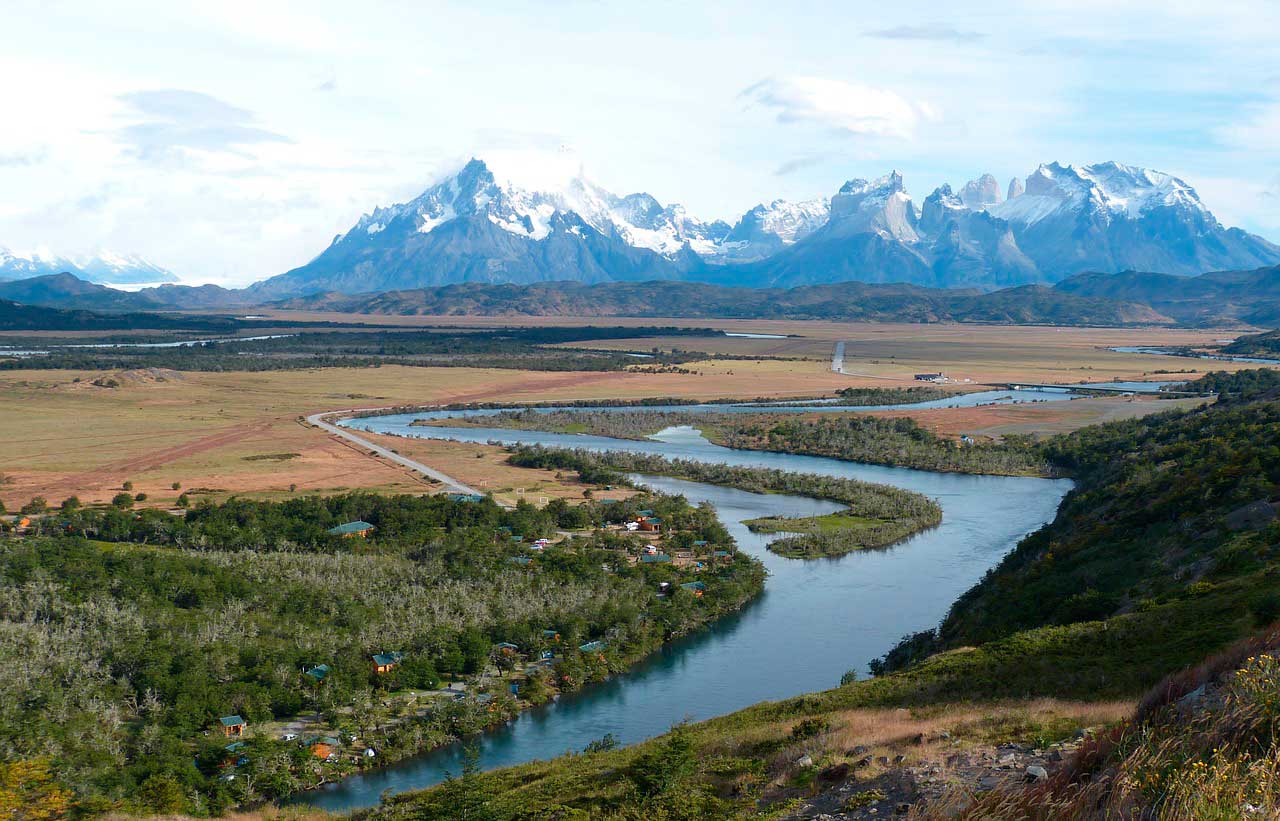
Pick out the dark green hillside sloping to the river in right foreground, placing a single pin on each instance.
(1167, 553)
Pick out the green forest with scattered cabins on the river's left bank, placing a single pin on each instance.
(125, 636)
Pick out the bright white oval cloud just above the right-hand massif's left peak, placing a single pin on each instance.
(843, 107)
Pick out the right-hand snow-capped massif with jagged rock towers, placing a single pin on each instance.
(1062, 222)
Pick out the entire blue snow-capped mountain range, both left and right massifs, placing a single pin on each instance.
(477, 226)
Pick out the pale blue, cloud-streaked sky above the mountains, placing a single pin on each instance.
(231, 142)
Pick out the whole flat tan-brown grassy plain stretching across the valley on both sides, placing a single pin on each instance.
(240, 432)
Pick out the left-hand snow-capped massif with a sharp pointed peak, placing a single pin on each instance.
(481, 226)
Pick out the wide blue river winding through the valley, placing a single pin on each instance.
(816, 621)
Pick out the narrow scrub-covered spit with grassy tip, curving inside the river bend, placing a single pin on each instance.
(877, 516)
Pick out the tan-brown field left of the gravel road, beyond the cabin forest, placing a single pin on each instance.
(240, 432)
